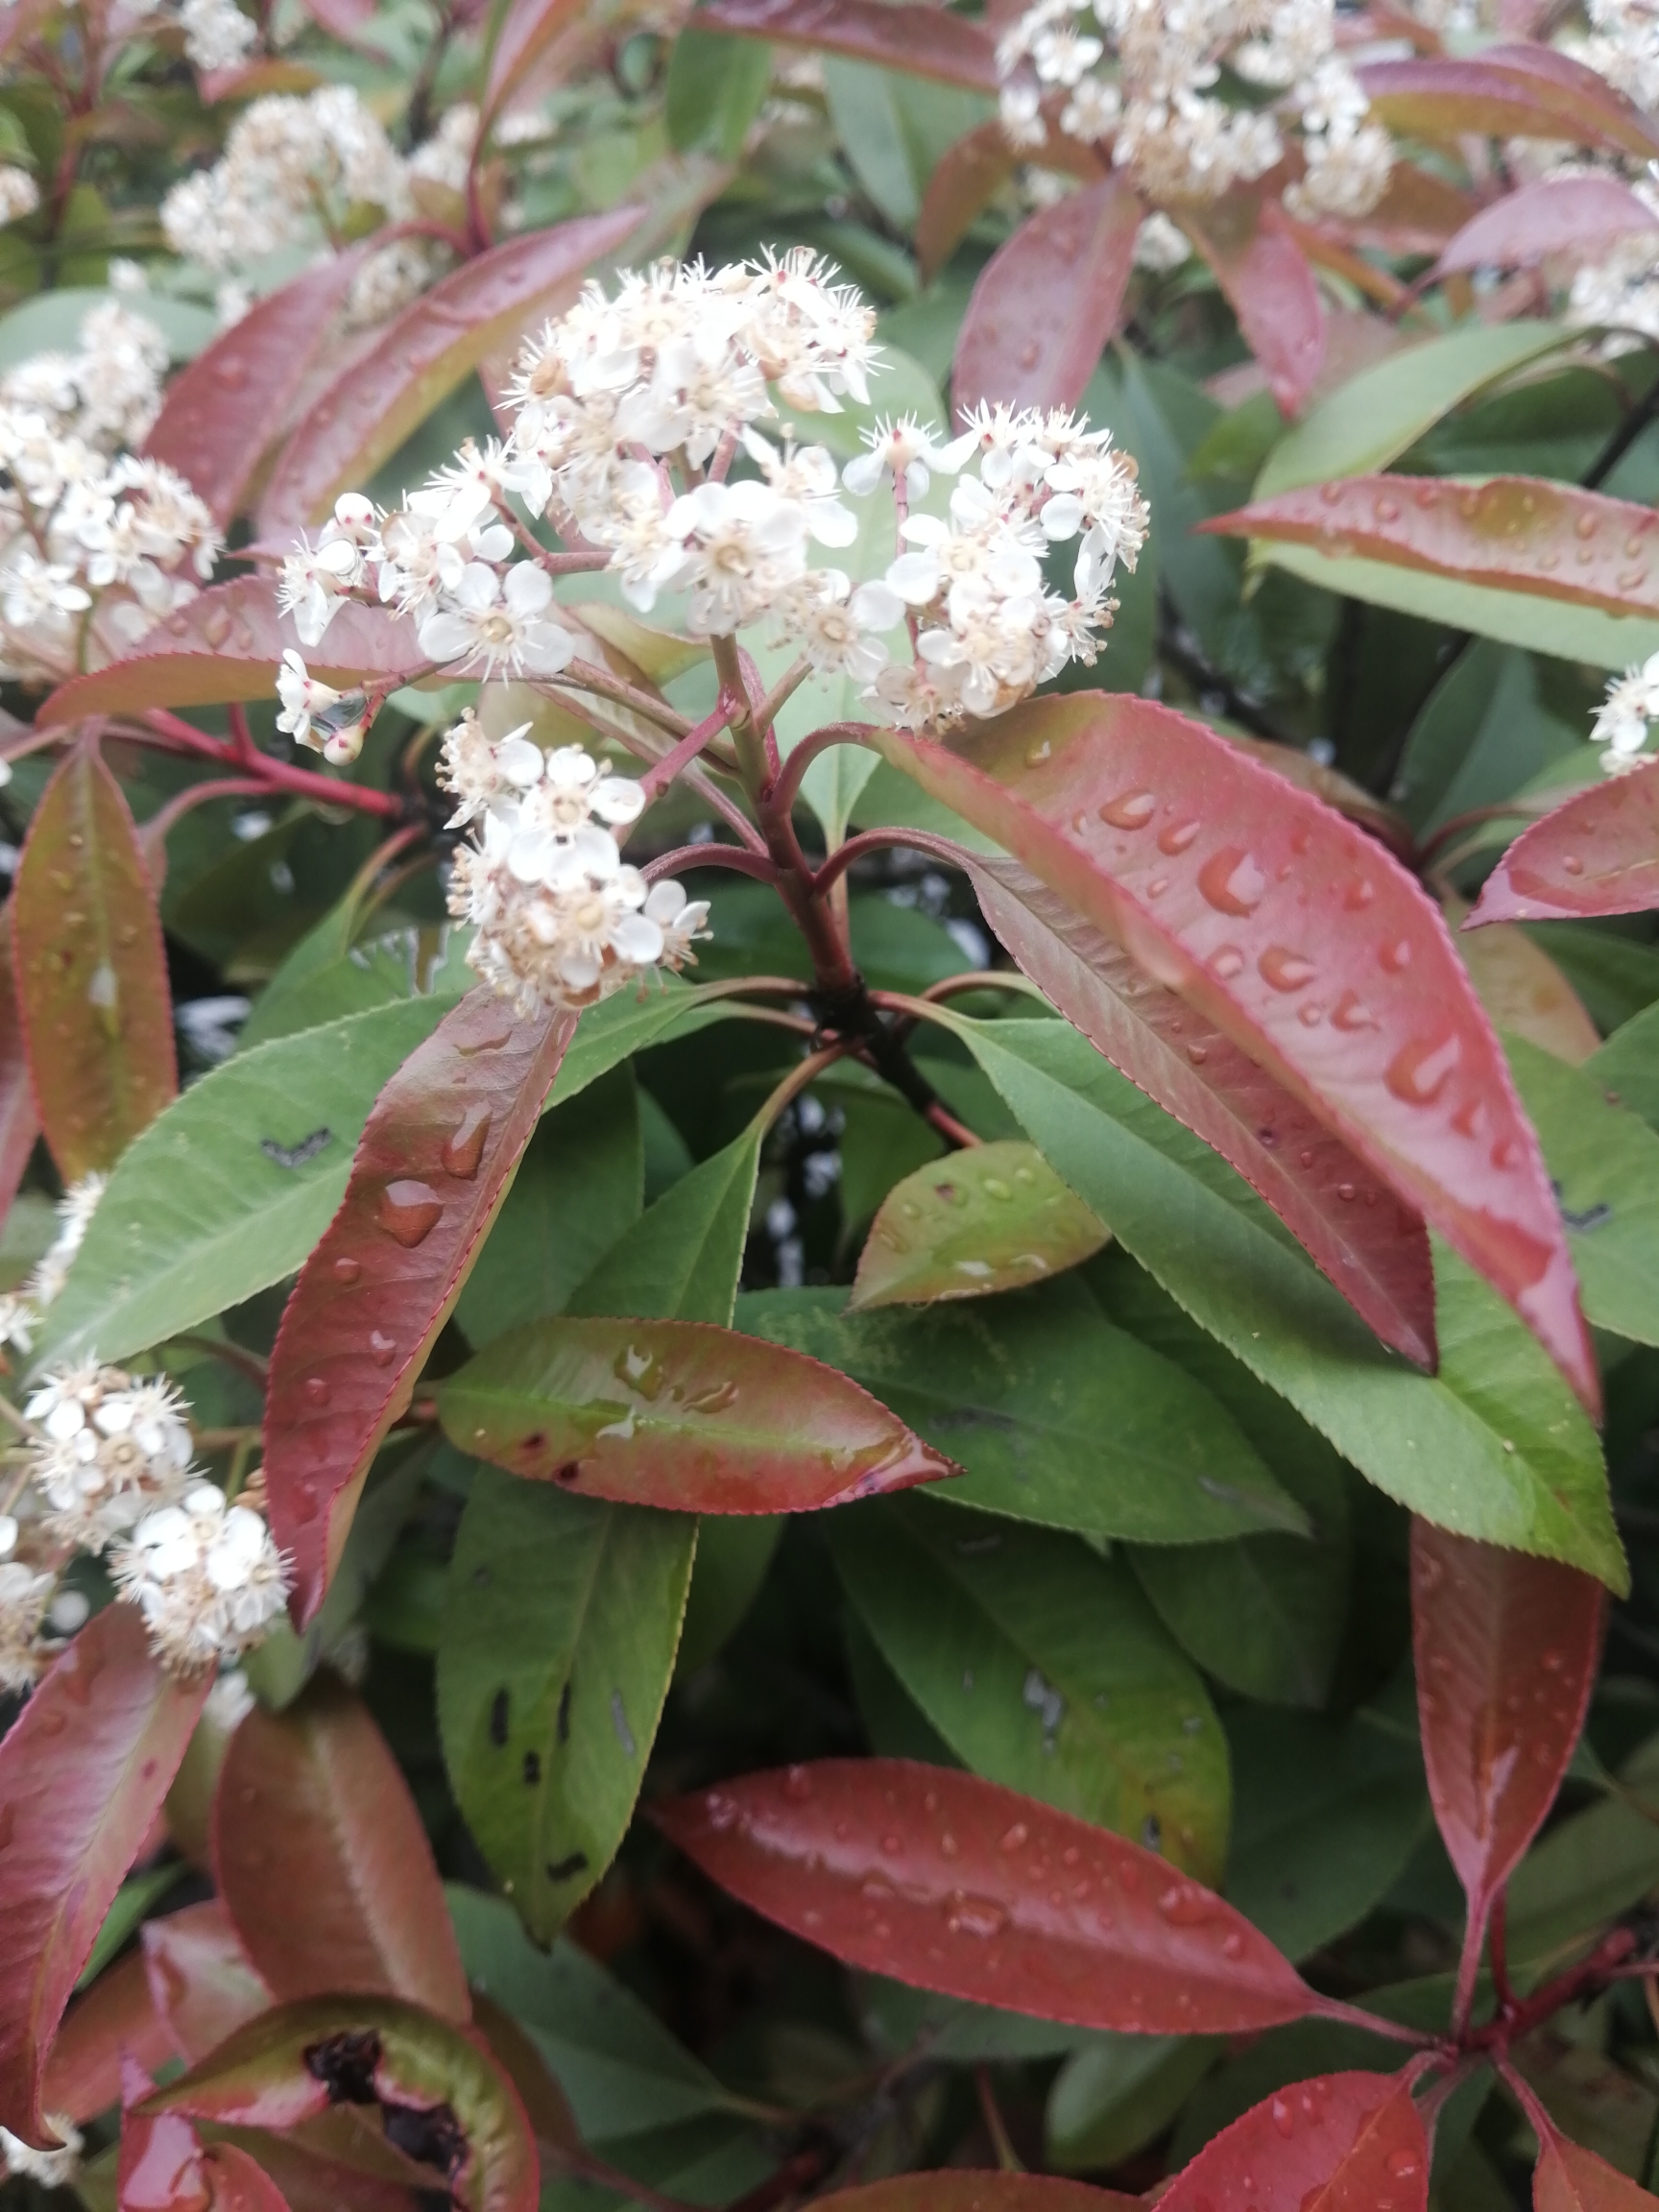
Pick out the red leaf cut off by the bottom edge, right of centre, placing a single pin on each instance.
(1335, 2145)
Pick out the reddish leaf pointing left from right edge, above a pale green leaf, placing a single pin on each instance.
(1516, 532)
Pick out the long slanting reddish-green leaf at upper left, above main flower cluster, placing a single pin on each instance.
(424, 355)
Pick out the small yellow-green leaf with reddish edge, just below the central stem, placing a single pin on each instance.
(974, 1222)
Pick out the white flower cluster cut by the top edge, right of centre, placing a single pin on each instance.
(1142, 74)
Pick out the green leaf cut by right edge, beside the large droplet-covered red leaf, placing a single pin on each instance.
(1605, 1165)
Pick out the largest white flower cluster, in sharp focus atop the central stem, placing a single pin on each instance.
(632, 417)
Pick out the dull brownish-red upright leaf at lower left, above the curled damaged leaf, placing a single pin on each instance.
(324, 1864)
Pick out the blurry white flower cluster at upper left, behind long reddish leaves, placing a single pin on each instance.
(300, 171)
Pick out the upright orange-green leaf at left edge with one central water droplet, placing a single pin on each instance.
(90, 970)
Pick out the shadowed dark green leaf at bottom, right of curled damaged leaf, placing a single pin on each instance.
(620, 2069)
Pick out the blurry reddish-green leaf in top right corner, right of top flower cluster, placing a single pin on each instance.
(1507, 92)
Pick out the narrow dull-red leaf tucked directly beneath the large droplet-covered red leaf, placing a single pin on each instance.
(1359, 1235)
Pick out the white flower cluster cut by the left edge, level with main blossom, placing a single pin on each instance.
(96, 545)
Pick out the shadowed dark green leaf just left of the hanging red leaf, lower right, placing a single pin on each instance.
(1326, 1817)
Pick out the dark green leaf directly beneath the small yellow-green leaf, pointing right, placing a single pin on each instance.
(1056, 1415)
